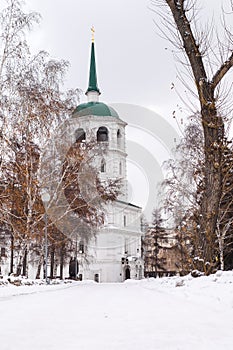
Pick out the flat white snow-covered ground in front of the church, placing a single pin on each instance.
(153, 314)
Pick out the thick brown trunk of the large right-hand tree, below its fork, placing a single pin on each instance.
(213, 146)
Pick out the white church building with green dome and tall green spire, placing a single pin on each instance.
(115, 251)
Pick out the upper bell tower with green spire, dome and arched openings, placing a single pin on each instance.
(102, 122)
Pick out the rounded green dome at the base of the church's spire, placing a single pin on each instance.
(94, 108)
